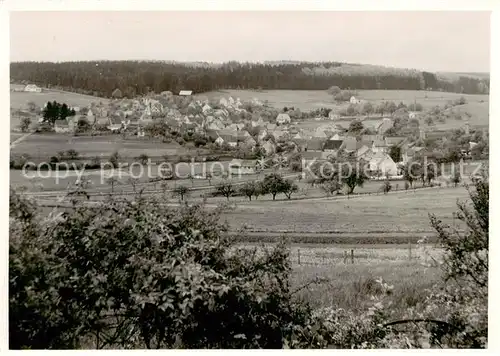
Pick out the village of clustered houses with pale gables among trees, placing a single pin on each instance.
(226, 122)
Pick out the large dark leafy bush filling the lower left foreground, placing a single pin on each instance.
(135, 274)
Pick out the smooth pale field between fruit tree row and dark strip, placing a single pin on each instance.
(404, 212)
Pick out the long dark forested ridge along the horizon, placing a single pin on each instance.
(133, 78)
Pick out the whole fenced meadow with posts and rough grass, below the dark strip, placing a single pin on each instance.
(349, 285)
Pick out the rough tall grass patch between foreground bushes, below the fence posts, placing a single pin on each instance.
(350, 286)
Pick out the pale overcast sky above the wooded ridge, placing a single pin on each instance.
(435, 41)
